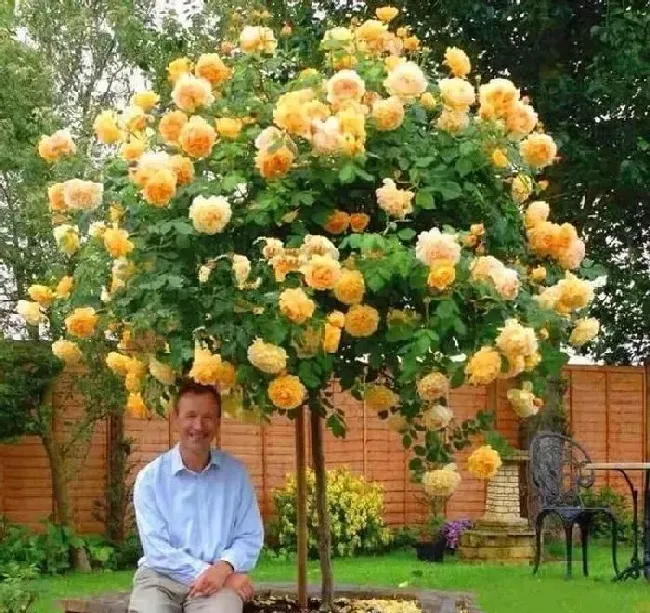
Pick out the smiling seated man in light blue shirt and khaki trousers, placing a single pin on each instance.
(198, 519)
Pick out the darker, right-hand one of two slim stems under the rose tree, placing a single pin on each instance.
(324, 538)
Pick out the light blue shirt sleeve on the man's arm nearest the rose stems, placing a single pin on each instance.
(248, 534)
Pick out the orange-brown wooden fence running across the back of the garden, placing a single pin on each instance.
(607, 409)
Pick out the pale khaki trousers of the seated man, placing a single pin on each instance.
(155, 593)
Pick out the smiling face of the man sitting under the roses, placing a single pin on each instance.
(198, 418)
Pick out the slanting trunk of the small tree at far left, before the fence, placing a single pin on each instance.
(62, 510)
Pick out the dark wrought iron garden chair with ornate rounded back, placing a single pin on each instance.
(557, 475)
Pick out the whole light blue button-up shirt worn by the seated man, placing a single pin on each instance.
(187, 520)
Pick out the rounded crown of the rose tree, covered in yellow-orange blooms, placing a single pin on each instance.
(271, 228)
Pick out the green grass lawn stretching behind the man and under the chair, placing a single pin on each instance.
(499, 589)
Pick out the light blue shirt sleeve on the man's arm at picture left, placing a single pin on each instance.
(154, 535)
